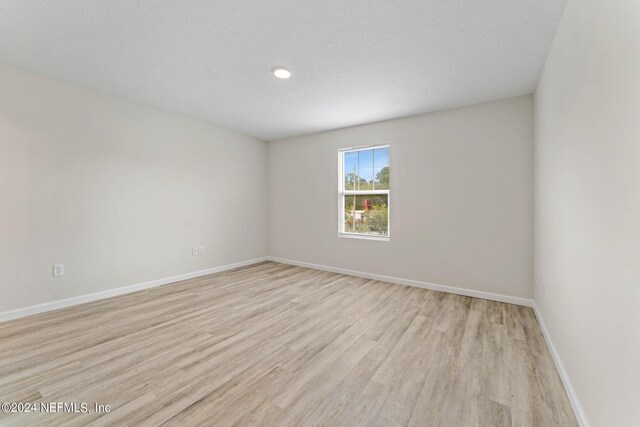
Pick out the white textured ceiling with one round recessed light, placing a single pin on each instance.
(353, 61)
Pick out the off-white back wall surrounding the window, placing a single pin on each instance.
(461, 202)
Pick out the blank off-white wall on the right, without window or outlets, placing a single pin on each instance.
(587, 205)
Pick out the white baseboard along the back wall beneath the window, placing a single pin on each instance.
(408, 282)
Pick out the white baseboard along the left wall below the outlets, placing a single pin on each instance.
(81, 299)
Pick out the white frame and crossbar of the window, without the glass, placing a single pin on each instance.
(342, 193)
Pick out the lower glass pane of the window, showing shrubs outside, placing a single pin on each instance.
(367, 214)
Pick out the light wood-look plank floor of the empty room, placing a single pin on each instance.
(272, 344)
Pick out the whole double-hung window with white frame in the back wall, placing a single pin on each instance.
(363, 200)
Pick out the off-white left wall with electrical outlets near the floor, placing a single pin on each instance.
(117, 192)
